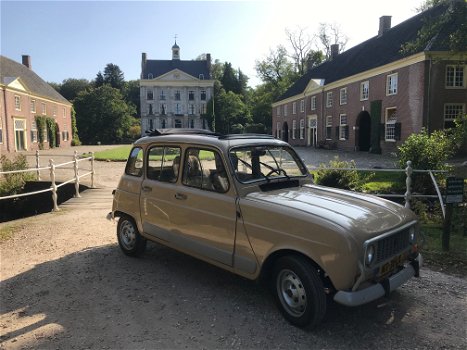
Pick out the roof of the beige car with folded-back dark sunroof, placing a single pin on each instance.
(207, 138)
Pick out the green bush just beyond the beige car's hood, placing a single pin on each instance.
(345, 179)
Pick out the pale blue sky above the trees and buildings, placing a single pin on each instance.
(76, 39)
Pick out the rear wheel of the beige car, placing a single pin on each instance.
(129, 239)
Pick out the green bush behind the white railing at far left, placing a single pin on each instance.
(13, 183)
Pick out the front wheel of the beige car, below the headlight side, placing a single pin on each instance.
(298, 291)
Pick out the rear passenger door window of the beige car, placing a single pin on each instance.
(163, 163)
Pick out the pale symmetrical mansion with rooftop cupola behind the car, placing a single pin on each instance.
(174, 93)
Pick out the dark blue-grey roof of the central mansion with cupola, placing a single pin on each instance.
(161, 67)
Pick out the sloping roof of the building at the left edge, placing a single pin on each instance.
(36, 85)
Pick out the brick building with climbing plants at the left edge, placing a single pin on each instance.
(24, 96)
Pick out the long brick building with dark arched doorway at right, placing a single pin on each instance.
(372, 96)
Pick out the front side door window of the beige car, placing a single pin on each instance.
(205, 169)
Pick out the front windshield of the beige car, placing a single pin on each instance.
(254, 163)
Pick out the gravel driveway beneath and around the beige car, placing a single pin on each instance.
(66, 285)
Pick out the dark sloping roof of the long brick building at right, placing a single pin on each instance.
(376, 52)
